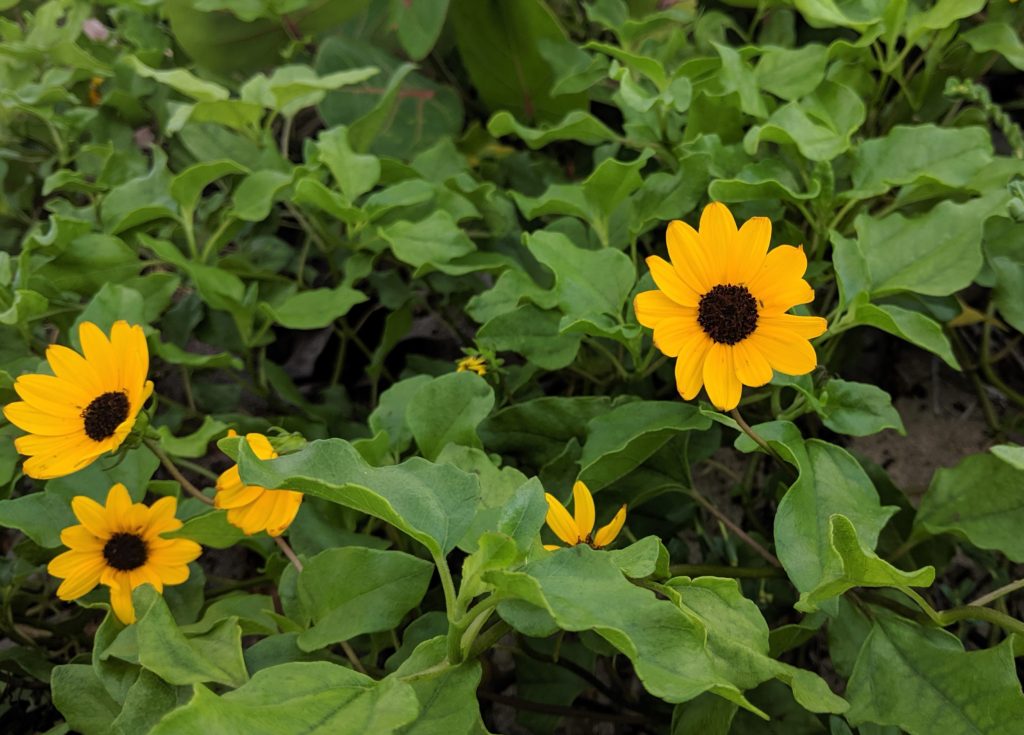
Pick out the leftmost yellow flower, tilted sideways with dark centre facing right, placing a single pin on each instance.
(89, 406)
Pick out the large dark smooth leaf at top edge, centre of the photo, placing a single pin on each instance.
(491, 35)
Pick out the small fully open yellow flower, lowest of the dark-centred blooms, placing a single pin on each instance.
(120, 545)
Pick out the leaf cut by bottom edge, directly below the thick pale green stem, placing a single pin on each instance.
(447, 695)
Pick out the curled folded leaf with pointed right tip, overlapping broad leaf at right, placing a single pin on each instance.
(851, 566)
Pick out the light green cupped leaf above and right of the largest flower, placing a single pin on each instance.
(820, 125)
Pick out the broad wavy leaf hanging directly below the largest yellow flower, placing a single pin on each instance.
(830, 483)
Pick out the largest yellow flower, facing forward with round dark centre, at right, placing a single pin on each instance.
(720, 308)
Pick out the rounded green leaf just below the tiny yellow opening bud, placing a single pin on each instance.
(448, 411)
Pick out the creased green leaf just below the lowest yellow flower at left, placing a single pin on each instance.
(214, 657)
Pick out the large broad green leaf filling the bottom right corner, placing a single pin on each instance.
(912, 678)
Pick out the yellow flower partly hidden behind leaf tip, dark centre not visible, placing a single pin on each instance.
(252, 508)
